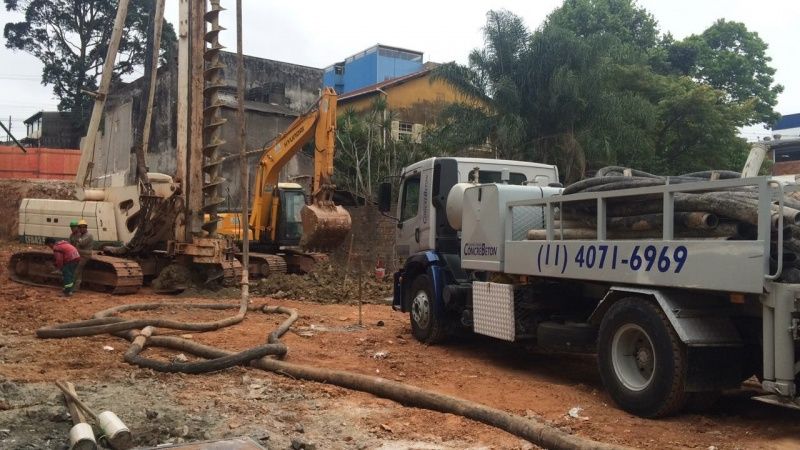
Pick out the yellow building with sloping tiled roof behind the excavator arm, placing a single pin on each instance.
(413, 100)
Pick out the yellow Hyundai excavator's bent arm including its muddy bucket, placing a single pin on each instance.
(324, 224)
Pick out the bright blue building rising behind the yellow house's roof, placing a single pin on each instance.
(373, 65)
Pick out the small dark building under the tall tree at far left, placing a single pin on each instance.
(52, 129)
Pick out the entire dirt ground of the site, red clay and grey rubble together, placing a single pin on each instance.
(280, 412)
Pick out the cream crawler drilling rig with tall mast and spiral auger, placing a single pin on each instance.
(158, 220)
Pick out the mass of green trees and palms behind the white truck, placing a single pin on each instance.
(597, 84)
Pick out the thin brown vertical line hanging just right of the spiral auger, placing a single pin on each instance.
(243, 156)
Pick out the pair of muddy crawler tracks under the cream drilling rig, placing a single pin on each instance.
(102, 273)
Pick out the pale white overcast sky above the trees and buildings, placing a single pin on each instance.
(317, 34)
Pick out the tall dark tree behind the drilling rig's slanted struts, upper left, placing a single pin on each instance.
(70, 37)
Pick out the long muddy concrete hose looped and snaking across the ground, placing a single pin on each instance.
(218, 359)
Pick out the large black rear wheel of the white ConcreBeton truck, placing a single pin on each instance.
(642, 361)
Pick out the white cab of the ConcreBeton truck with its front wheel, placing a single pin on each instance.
(428, 243)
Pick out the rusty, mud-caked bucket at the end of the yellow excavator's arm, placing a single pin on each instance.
(324, 226)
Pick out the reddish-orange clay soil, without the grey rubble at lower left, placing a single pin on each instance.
(542, 386)
